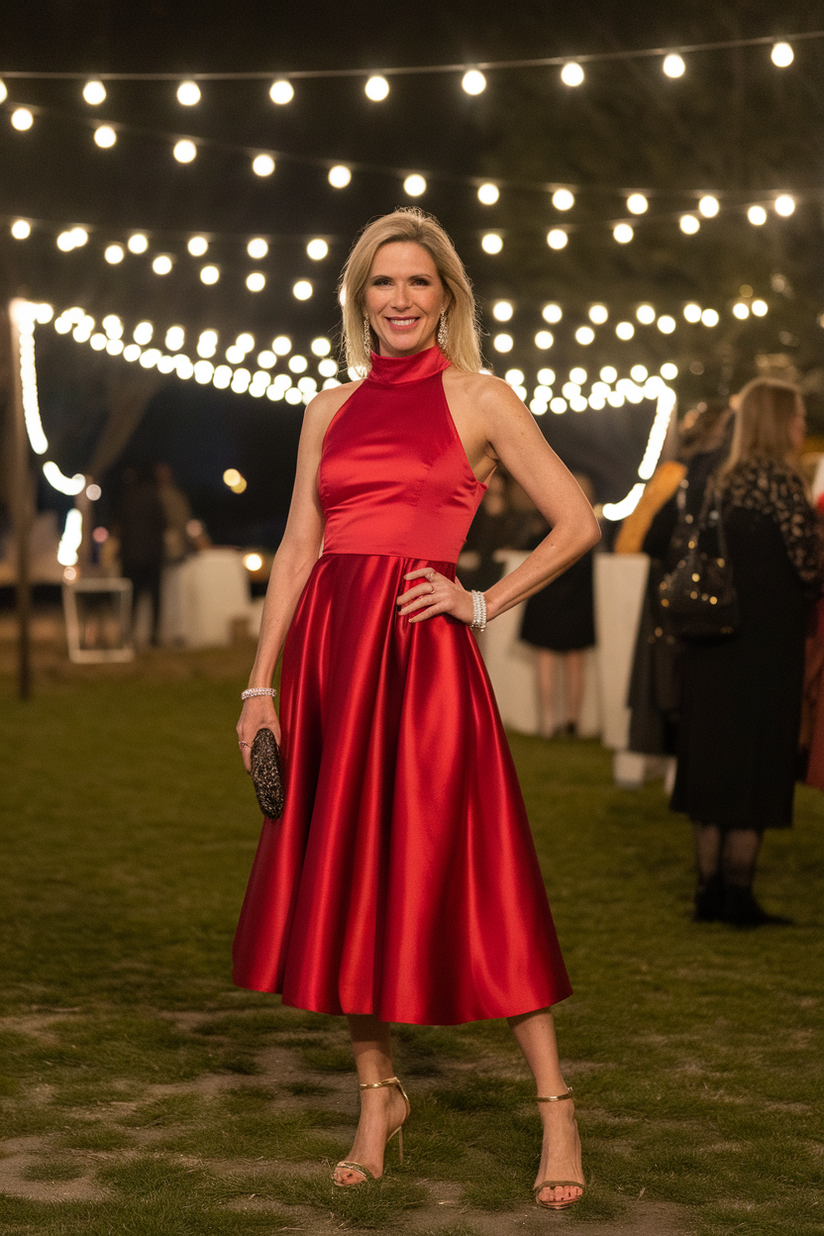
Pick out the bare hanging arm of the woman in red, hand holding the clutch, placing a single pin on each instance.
(292, 567)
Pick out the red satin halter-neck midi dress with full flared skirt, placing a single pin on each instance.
(402, 879)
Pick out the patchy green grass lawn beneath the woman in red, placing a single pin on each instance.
(143, 1094)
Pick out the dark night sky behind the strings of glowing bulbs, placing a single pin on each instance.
(736, 127)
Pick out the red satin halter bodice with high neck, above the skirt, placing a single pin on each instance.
(395, 478)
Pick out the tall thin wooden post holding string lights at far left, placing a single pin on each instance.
(22, 511)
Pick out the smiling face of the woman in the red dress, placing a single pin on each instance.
(405, 298)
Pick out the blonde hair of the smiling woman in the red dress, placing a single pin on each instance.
(411, 226)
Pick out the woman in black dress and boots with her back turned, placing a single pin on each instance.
(738, 737)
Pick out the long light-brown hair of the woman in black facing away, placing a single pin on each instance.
(767, 410)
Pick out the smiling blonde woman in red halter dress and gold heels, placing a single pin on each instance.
(402, 883)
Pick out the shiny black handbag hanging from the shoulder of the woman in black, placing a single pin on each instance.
(699, 598)
